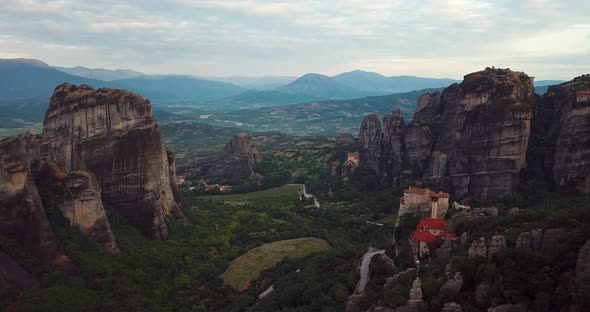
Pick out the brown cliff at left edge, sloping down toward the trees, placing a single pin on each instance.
(21, 212)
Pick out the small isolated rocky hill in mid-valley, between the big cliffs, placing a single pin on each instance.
(236, 163)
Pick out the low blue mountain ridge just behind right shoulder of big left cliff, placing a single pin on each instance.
(177, 88)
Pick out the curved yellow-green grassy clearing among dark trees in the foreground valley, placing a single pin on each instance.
(247, 267)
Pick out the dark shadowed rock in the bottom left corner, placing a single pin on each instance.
(14, 277)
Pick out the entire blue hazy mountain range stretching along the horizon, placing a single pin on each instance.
(27, 84)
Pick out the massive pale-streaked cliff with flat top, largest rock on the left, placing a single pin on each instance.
(113, 135)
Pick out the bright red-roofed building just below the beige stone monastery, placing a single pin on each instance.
(427, 232)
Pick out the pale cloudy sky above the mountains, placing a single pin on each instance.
(546, 39)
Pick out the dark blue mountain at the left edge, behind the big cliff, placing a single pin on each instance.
(27, 78)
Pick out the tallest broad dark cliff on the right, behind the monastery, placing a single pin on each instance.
(481, 130)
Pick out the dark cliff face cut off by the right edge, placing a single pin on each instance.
(570, 132)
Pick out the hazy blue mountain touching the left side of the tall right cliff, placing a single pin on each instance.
(369, 81)
